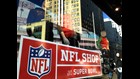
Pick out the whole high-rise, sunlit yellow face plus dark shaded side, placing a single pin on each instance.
(76, 14)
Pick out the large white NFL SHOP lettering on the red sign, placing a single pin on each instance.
(71, 56)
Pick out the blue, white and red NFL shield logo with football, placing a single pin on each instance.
(39, 61)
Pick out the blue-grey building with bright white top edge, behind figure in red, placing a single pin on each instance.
(114, 35)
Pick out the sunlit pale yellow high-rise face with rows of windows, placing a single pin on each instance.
(66, 13)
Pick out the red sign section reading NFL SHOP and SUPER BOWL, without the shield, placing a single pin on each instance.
(77, 63)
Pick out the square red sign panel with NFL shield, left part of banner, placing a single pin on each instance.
(36, 60)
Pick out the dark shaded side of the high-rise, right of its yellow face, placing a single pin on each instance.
(90, 21)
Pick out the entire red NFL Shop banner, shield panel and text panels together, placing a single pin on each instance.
(39, 59)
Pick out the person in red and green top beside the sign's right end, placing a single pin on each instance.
(103, 45)
